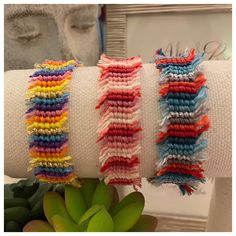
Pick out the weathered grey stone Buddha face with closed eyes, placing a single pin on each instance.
(35, 32)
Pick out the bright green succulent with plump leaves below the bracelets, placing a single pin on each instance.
(95, 207)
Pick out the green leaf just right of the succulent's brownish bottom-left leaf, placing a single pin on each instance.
(63, 224)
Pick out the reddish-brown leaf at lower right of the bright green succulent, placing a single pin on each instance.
(146, 223)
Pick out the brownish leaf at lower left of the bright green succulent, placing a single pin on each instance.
(38, 226)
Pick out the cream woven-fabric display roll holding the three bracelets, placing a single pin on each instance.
(84, 119)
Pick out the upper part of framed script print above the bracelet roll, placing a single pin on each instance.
(141, 29)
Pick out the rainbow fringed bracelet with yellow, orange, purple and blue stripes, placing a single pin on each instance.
(46, 118)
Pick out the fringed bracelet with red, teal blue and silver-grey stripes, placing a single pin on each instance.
(180, 144)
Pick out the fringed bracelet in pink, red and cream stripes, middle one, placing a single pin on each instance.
(119, 127)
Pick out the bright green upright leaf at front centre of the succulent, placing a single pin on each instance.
(101, 222)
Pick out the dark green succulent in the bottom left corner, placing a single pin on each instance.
(23, 201)
